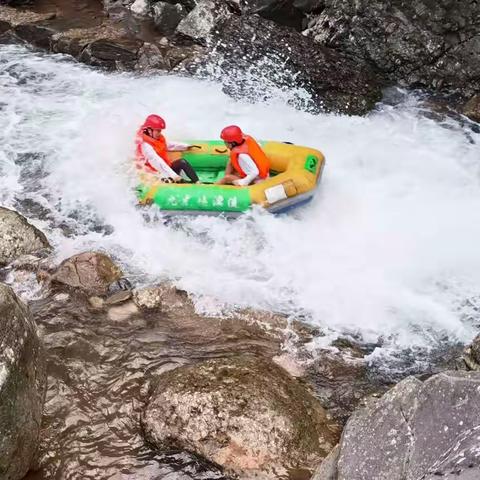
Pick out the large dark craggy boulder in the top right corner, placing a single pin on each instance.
(434, 44)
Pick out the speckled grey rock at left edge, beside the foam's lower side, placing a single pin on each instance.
(18, 237)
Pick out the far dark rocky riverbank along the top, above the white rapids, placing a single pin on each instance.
(340, 52)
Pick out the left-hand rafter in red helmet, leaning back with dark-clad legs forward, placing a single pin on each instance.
(152, 152)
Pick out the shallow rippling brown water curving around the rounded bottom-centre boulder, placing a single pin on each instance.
(100, 373)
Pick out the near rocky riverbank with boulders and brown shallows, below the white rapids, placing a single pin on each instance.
(141, 383)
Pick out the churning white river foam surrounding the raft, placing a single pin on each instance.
(389, 247)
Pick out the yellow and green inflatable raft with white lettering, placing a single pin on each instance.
(294, 174)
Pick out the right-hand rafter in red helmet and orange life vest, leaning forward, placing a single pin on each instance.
(248, 162)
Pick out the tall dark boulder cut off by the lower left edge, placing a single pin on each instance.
(22, 386)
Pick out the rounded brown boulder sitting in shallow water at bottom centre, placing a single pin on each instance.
(243, 413)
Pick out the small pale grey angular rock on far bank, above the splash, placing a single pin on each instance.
(201, 21)
